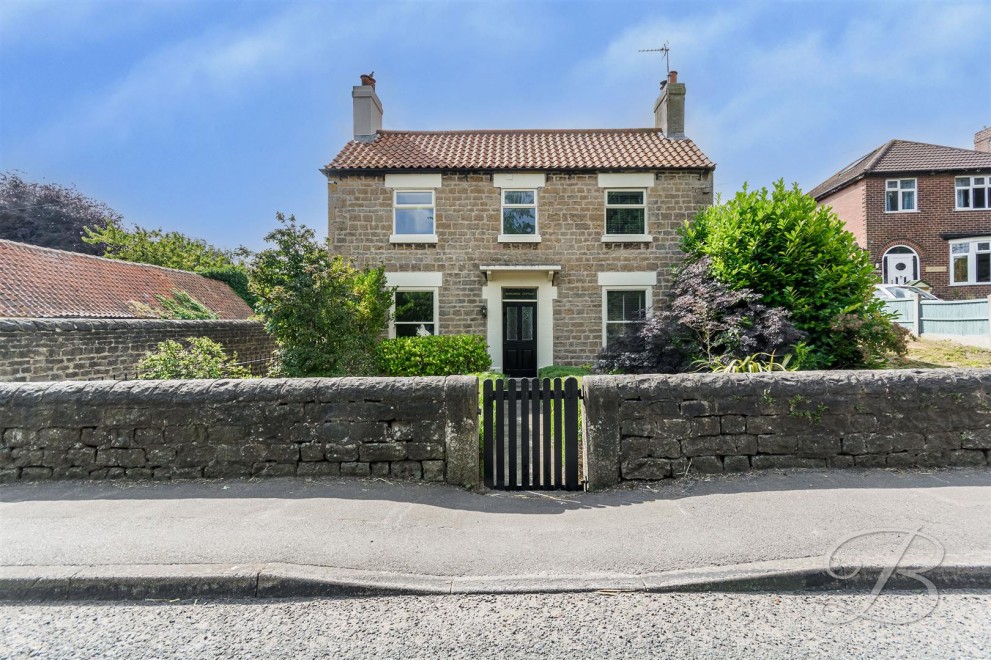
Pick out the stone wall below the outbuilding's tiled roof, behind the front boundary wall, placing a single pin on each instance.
(92, 349)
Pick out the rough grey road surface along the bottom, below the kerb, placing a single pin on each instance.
(575, 625)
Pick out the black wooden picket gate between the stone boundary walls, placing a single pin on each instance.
(530, 434)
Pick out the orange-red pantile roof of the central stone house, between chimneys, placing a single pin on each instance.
(578, 149)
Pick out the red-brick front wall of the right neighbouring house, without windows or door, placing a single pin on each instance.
(921, 230)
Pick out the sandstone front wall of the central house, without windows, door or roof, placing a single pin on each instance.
(571, 219)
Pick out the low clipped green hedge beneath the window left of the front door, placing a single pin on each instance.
(443, 355)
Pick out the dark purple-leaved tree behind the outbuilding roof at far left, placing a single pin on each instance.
(50, 215)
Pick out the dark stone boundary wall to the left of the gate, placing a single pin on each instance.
(407, 428)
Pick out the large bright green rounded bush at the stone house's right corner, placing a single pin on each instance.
(799, 257)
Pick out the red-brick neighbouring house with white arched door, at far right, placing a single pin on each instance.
(915, 208)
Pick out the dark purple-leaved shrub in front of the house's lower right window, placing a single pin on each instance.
(707, 325)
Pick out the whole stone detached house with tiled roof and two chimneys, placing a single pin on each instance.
(546, 242)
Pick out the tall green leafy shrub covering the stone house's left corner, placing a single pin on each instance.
(326, 315)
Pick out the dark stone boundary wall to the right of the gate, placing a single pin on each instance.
(656, 427)
